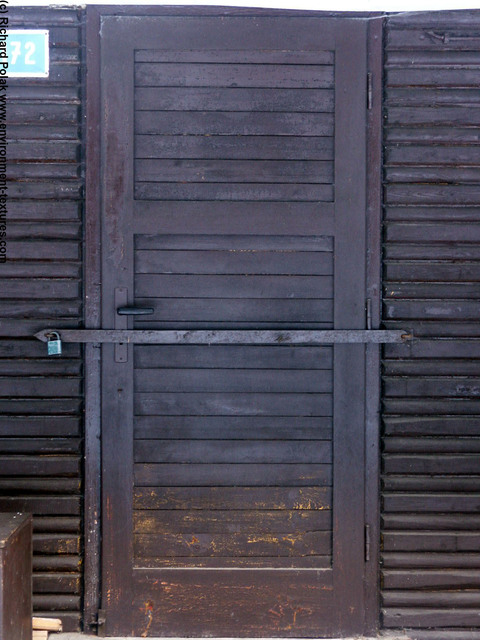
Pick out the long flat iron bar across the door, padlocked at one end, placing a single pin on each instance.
(341, 336)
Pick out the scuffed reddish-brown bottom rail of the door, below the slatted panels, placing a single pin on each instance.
(180, 602)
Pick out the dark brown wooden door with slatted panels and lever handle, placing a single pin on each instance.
(233, 173)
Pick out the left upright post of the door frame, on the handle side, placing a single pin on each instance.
(92, 318)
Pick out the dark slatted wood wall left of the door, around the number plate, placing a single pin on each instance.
(41, 402)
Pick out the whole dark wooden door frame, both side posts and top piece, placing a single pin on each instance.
(92, 300)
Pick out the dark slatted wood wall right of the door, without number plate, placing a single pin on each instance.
(431, 488)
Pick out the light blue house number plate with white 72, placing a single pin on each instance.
(27, 53)
